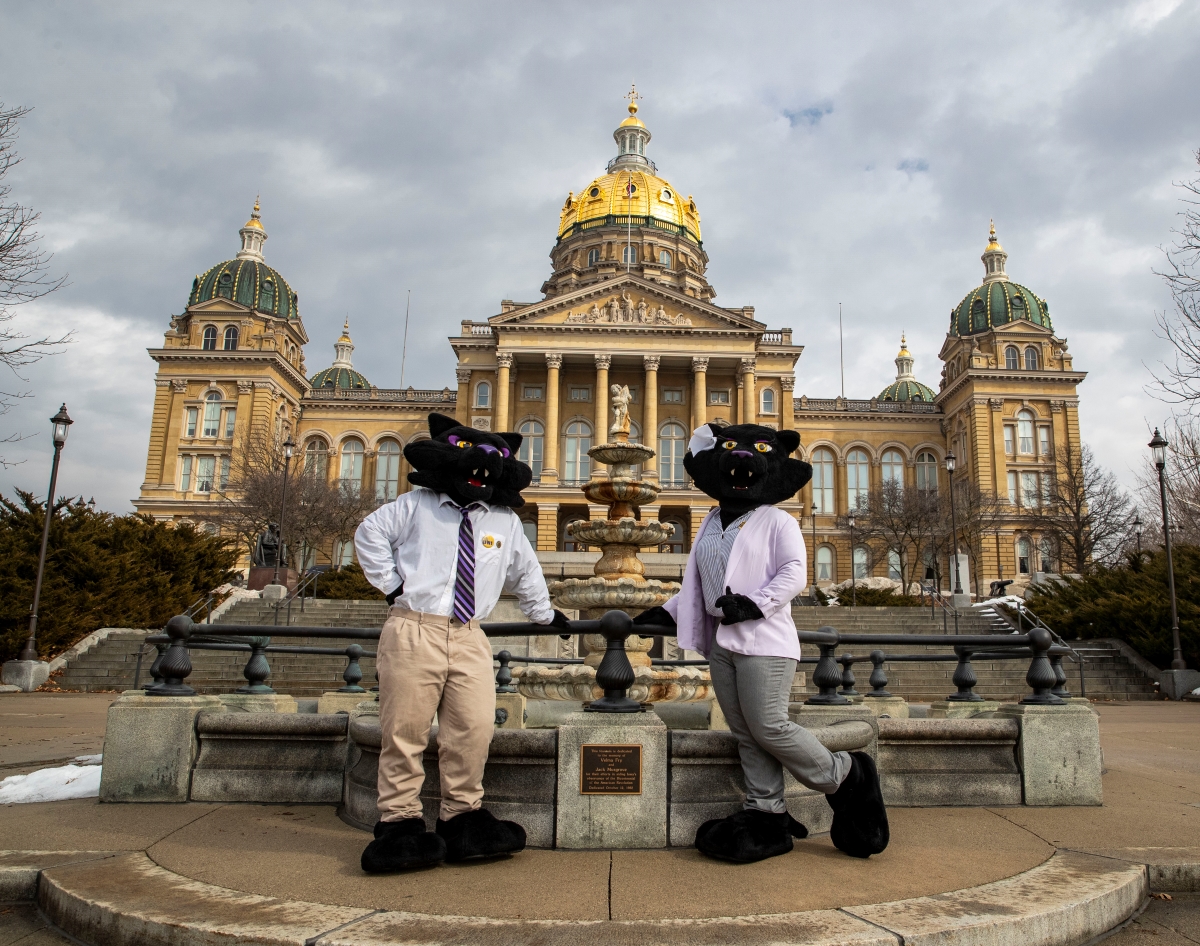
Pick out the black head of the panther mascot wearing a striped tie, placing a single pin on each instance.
(469, 465)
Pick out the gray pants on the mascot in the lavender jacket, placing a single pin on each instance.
(753, 693)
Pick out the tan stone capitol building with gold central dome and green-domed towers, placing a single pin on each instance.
(627, 302)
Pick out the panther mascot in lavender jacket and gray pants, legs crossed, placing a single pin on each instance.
(747, 565)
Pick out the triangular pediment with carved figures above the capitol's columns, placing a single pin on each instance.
(627, 302)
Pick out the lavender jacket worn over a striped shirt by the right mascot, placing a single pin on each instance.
(770, 567)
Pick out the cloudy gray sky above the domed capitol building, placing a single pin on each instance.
(839, 153)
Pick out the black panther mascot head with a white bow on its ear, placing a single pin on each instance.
(746, 466)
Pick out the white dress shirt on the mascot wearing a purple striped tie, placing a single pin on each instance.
(416, 540)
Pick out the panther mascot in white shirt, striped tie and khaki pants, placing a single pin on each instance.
(443, 554)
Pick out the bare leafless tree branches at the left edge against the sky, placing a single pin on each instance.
(23, 274)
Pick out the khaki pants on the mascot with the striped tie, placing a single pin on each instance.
(433, 664)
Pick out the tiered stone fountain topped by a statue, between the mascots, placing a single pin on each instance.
(620, 583)
